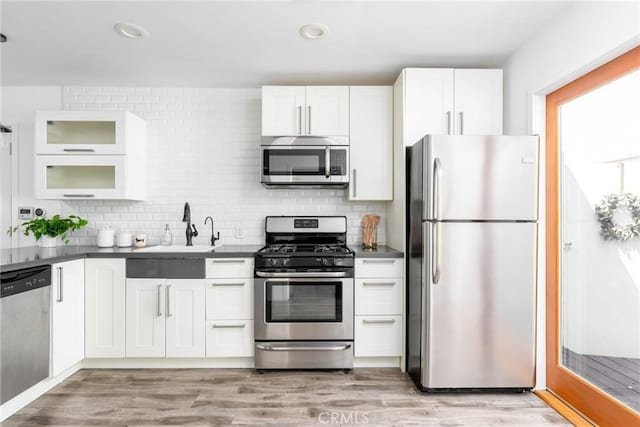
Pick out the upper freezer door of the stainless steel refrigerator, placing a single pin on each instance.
(481, 177)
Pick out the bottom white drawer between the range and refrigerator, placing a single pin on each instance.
(378, 336)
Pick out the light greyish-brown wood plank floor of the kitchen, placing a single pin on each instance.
(372, 397)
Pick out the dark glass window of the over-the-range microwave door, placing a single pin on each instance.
(294, 162)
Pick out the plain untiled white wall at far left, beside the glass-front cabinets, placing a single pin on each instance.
(18, 107)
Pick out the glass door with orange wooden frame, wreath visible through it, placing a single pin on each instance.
(593, 242)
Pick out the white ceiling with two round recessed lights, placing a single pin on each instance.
(245, 44)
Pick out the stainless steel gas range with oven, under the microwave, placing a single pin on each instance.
(304, 295)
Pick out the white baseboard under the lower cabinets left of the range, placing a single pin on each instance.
(169, 363)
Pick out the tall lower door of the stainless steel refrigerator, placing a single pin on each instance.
(480, 305)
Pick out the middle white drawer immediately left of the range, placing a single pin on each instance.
(230, 299)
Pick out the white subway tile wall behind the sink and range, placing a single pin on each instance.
(203, 146)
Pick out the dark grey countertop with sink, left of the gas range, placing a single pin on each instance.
(12, 259)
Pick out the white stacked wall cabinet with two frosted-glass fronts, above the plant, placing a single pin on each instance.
(90, 155)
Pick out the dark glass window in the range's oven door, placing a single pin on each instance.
(303, 302)
